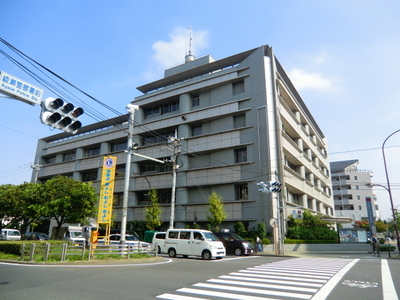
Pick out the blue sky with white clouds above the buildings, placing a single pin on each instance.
(343, 57)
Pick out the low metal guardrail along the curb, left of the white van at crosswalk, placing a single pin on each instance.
(61, 252)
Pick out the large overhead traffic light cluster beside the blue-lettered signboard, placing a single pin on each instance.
(60, 115)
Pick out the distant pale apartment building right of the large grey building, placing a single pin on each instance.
(351, 188)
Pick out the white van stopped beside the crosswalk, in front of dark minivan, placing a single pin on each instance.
(193, 242)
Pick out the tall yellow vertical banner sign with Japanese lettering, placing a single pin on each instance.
(107, 189)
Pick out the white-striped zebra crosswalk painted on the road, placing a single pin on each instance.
(299, 278)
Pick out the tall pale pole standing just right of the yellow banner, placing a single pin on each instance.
(131, 109)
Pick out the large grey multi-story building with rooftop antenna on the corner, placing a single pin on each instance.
(237, 121)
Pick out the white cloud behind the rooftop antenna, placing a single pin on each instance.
(172, 52)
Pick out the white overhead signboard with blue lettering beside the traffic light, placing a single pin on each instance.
(19, 89)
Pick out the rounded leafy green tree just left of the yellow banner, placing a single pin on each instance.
(69, 201)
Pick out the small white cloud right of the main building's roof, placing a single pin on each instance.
(303, 80)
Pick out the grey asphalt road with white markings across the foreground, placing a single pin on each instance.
(364, 279)
